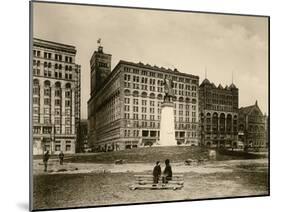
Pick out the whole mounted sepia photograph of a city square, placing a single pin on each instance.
(140, 105)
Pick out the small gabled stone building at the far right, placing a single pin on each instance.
(253, 127)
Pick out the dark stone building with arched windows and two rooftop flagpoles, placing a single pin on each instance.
(218, 114)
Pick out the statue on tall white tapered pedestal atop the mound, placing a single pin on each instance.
(167, 121)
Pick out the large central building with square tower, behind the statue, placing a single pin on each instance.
(124, 109)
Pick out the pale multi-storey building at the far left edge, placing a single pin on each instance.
(56, 97)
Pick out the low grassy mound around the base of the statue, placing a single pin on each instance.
(152, 154)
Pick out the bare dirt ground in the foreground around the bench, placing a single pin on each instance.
(95, 184)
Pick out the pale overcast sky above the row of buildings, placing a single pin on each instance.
(190, 42)
